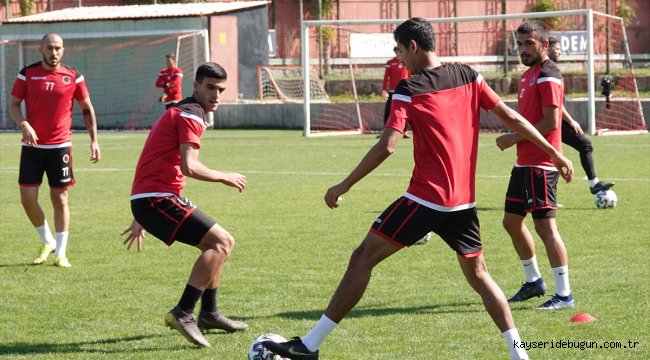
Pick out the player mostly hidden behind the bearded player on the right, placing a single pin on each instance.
(573, 135)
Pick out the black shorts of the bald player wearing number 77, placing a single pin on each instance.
(56, 163)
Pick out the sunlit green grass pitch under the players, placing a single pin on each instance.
(292, 250)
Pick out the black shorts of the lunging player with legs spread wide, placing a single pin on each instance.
(405, 221)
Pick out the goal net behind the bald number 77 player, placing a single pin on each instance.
(120, 71)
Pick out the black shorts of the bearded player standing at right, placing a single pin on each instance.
(532, 190)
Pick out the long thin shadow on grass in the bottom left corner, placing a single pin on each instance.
(90, 347)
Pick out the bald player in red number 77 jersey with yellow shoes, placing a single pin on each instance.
(48, 88)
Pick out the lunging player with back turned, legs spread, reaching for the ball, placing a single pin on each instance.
(441, 103)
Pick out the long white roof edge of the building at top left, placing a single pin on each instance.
(137, 12)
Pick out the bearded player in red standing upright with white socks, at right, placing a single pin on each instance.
(533, 180)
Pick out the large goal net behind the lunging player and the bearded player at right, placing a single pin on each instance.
(594, 48)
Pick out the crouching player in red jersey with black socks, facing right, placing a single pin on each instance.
(171, 153)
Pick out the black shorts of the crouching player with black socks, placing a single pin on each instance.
(171, 218)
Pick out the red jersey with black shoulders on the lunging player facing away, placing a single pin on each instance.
(443, 106)
